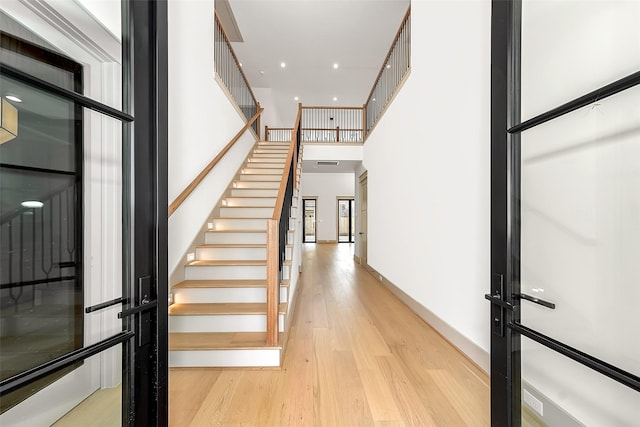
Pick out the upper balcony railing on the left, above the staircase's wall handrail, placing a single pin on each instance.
(230, 72)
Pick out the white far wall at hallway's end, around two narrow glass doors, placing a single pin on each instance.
(327, 187)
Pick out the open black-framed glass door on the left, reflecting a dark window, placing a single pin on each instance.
(83, 213)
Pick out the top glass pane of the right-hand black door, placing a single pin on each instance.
(570, 48)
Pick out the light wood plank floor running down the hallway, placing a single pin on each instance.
(357, 356)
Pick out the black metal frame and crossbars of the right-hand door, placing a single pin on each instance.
(506, 127)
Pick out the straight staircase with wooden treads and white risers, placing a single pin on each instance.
(218, 318)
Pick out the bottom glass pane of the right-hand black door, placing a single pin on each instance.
(556, 391)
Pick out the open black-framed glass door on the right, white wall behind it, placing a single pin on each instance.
(565, 338)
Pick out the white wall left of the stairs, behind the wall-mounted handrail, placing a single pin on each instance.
(202, 121)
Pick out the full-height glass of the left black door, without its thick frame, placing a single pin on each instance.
(61, 191)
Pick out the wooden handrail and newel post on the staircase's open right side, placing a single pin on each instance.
(273, 238)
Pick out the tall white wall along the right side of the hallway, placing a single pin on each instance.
(428, 164)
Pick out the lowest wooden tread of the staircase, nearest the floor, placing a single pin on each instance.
(220, 341)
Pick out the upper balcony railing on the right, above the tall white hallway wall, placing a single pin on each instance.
(394, 69)
